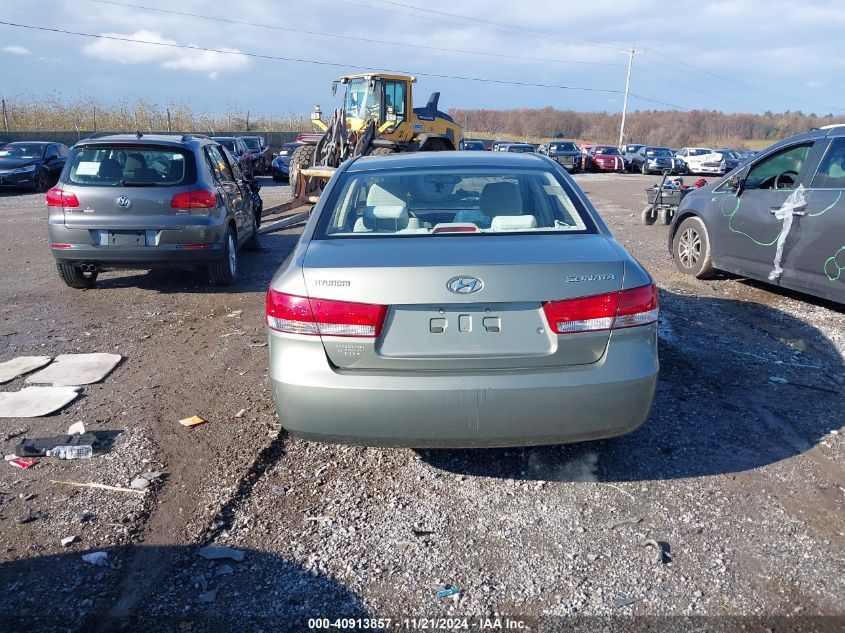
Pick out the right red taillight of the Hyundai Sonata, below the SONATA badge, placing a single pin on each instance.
(611, 311)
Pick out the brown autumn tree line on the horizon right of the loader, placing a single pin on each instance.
(671, 128)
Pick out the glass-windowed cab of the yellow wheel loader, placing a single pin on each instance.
(385, 98)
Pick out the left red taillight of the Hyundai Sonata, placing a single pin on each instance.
(301, 315)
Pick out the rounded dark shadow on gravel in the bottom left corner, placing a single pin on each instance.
(262, 592)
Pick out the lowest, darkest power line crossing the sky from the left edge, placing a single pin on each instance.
(316, 62)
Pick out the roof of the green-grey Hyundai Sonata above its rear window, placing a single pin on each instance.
(413, 160)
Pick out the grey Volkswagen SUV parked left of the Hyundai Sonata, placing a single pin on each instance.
(137, 201)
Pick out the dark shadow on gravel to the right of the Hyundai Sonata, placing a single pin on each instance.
(722, 405)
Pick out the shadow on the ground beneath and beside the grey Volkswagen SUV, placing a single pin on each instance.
(256, 268)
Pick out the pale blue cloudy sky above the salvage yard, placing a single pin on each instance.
(737, 56)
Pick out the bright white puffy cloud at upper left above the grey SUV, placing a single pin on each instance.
(123, 52)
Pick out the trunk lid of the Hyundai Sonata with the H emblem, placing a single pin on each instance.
(430, 327)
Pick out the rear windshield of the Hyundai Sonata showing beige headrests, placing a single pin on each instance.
(447, 202)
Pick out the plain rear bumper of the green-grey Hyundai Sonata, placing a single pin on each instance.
(610, 397)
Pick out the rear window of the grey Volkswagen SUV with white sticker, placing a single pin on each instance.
(130, 166)
